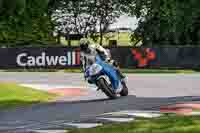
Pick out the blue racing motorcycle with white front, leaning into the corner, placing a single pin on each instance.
(105, 77)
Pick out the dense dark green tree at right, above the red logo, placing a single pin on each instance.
(168, 22)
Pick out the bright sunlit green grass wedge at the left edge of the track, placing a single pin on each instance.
(13, 95)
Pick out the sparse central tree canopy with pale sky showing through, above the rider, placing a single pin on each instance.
(86, 17)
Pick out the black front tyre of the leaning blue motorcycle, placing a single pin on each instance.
(105, 87)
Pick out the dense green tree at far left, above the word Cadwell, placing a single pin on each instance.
(24, 21)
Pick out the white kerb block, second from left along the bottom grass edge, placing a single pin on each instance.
(84, 125)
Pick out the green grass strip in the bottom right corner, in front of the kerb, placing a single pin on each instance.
(167, 124)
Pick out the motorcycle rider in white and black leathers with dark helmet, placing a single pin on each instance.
(89, 52)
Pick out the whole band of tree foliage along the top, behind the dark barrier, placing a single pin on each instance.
(162, 22)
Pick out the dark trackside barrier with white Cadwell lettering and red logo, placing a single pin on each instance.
(65, 57)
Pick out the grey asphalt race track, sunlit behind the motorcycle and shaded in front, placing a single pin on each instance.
(147, 92)
